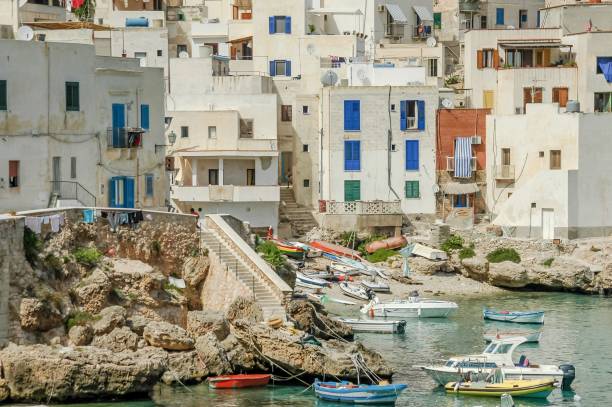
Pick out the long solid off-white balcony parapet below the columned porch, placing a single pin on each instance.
(226, 193)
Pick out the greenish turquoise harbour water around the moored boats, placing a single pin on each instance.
(578, 330)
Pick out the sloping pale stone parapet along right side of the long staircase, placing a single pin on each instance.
(249, 256)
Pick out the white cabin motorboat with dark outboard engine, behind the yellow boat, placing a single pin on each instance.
(498, 354)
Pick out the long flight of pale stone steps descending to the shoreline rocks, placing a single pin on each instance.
(262, 293)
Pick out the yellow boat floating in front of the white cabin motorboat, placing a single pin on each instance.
(538, 388)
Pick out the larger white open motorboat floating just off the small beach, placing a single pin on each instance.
(413, 307)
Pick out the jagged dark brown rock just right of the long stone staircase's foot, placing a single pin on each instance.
(312, 318)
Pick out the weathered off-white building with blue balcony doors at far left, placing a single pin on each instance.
(94, 135)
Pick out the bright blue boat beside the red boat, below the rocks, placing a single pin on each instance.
(346, 392)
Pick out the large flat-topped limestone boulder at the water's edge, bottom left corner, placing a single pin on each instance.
(44, 373)
